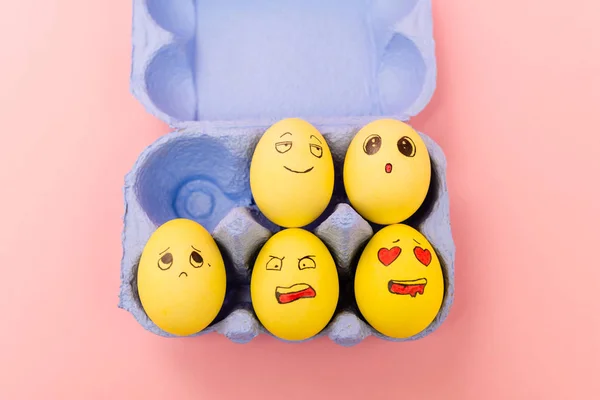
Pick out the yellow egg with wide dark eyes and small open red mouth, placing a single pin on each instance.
(387, 171)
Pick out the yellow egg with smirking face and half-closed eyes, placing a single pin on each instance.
(291, 173)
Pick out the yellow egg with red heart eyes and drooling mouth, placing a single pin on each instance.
(399, 285)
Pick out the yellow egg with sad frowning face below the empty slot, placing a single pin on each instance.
(181, 277)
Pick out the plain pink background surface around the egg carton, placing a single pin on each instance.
(517, 113)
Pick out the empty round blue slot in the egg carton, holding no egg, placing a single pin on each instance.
(192, 177)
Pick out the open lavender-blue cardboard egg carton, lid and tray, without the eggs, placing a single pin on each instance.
(220, 73)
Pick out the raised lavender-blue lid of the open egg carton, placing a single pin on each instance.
(198, 64)
